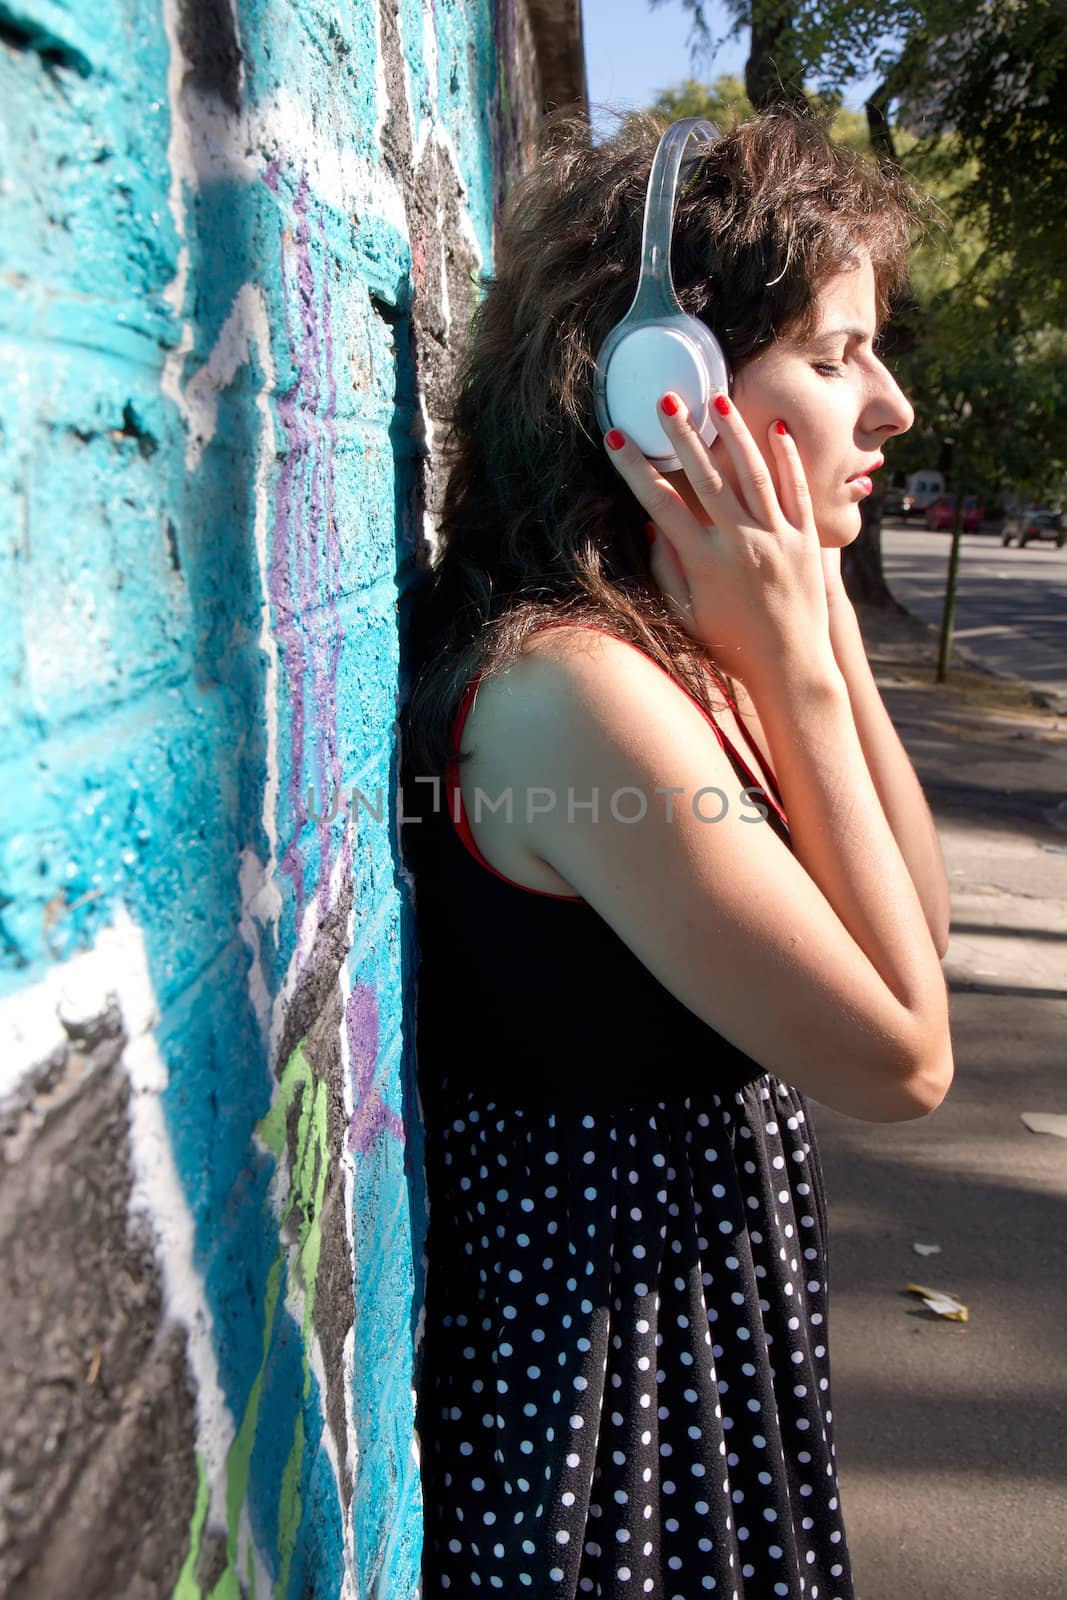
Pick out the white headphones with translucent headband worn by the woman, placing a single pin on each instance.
(657, 346)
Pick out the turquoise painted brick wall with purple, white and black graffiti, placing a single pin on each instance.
(241, 244)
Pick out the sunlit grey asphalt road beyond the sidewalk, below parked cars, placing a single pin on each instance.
(1012, 606)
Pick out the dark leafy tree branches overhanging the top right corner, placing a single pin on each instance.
(986, 78)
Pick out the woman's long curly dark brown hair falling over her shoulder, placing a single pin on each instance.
(535, 521)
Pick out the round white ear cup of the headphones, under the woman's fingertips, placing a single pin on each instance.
(673, 353)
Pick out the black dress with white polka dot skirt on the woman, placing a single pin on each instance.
(625, 1382)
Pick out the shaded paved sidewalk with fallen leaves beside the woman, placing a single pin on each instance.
(949, 1436)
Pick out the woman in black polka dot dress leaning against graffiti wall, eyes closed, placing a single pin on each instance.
(681, 878)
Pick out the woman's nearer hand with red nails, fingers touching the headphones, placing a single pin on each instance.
(751, 586)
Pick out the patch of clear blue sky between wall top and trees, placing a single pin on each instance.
(633, 54)
